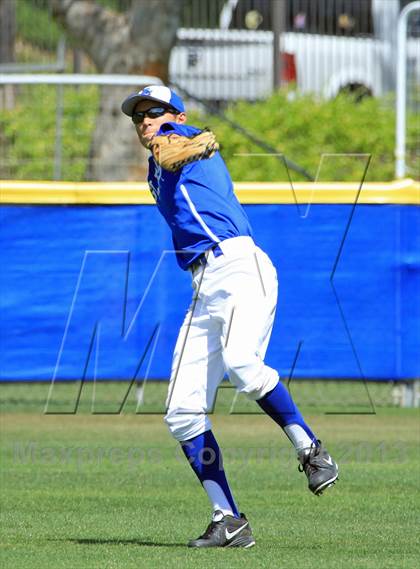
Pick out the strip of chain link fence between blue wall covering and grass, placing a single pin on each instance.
(145, 397)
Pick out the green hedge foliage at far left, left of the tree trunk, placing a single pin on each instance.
(28, 131)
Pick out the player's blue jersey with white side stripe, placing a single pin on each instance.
(197, 202)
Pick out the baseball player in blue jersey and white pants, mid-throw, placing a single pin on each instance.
(229, 322)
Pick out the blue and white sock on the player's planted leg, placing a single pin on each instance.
(204, 455)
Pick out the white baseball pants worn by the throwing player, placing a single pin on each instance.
(227, 329)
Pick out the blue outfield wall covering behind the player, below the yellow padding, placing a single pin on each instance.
(86, 290)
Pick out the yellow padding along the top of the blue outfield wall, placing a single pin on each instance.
(119, 193)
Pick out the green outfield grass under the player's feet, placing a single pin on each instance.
(97, 491)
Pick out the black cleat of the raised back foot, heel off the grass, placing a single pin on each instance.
(319, 467)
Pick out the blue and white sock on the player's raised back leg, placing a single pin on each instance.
(279, 405)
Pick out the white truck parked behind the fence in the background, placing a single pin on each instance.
(230, 64)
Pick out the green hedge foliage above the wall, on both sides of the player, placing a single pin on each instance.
(302, 128)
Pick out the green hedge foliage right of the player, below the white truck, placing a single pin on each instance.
(304, 128)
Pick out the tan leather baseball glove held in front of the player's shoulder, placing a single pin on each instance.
(173, 151)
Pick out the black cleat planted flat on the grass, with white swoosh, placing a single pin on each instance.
(225, 531)
